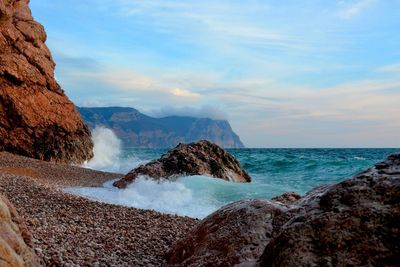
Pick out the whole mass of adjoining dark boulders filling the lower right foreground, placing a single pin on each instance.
(352, 223)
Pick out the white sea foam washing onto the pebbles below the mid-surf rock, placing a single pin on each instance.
(163, 196)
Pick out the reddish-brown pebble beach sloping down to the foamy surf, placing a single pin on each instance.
(69, 230)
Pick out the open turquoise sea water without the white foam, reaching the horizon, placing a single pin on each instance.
(275, 171)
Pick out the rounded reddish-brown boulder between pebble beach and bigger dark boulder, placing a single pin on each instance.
(235, 234)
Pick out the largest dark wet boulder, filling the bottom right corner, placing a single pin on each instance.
(353, 223)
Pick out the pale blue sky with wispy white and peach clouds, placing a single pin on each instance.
(312, 73)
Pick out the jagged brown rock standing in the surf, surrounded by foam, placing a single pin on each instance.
(201, 158)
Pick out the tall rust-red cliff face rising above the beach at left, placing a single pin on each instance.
(36, 118)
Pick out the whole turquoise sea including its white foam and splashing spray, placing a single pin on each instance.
(274, 171)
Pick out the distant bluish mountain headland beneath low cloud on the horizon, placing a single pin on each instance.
(136, 129)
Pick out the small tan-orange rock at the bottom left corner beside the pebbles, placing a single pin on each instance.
(14, 238)
